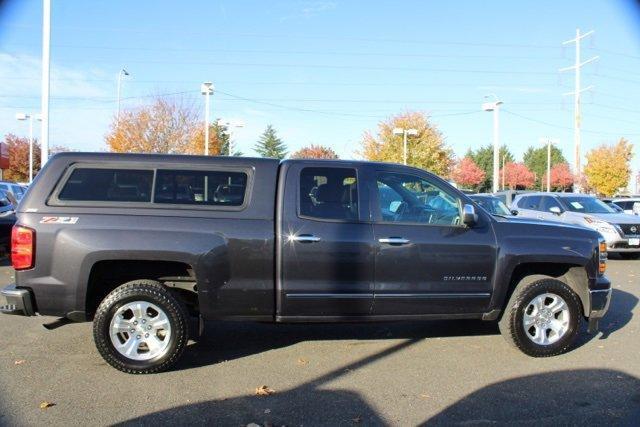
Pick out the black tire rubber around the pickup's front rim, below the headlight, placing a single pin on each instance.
(512, 324)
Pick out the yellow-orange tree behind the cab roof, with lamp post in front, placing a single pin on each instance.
(426, 150)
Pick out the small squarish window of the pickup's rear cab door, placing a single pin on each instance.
(329, 193)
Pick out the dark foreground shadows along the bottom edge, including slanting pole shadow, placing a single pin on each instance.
(571, 397)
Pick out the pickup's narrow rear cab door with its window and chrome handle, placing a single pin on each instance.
(326, 242)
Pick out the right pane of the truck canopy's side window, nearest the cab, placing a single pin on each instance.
(194, 187)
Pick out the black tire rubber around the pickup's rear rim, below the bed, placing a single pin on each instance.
(148, 291)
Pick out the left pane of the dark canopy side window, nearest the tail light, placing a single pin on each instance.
(108, 185)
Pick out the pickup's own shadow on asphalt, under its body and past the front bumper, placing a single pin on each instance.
(234, 340)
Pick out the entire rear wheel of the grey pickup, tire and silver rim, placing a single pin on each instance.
(140, 328)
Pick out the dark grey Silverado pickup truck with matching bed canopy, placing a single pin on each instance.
(141, 244)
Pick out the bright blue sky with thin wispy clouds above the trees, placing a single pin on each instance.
(325, 71)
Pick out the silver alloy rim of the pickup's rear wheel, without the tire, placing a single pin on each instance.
(140, 331)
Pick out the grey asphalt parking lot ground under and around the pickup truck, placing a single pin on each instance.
(369, 374)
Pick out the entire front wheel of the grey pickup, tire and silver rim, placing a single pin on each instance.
(542, 318)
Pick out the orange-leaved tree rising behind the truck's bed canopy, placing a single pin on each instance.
(165, 126)
